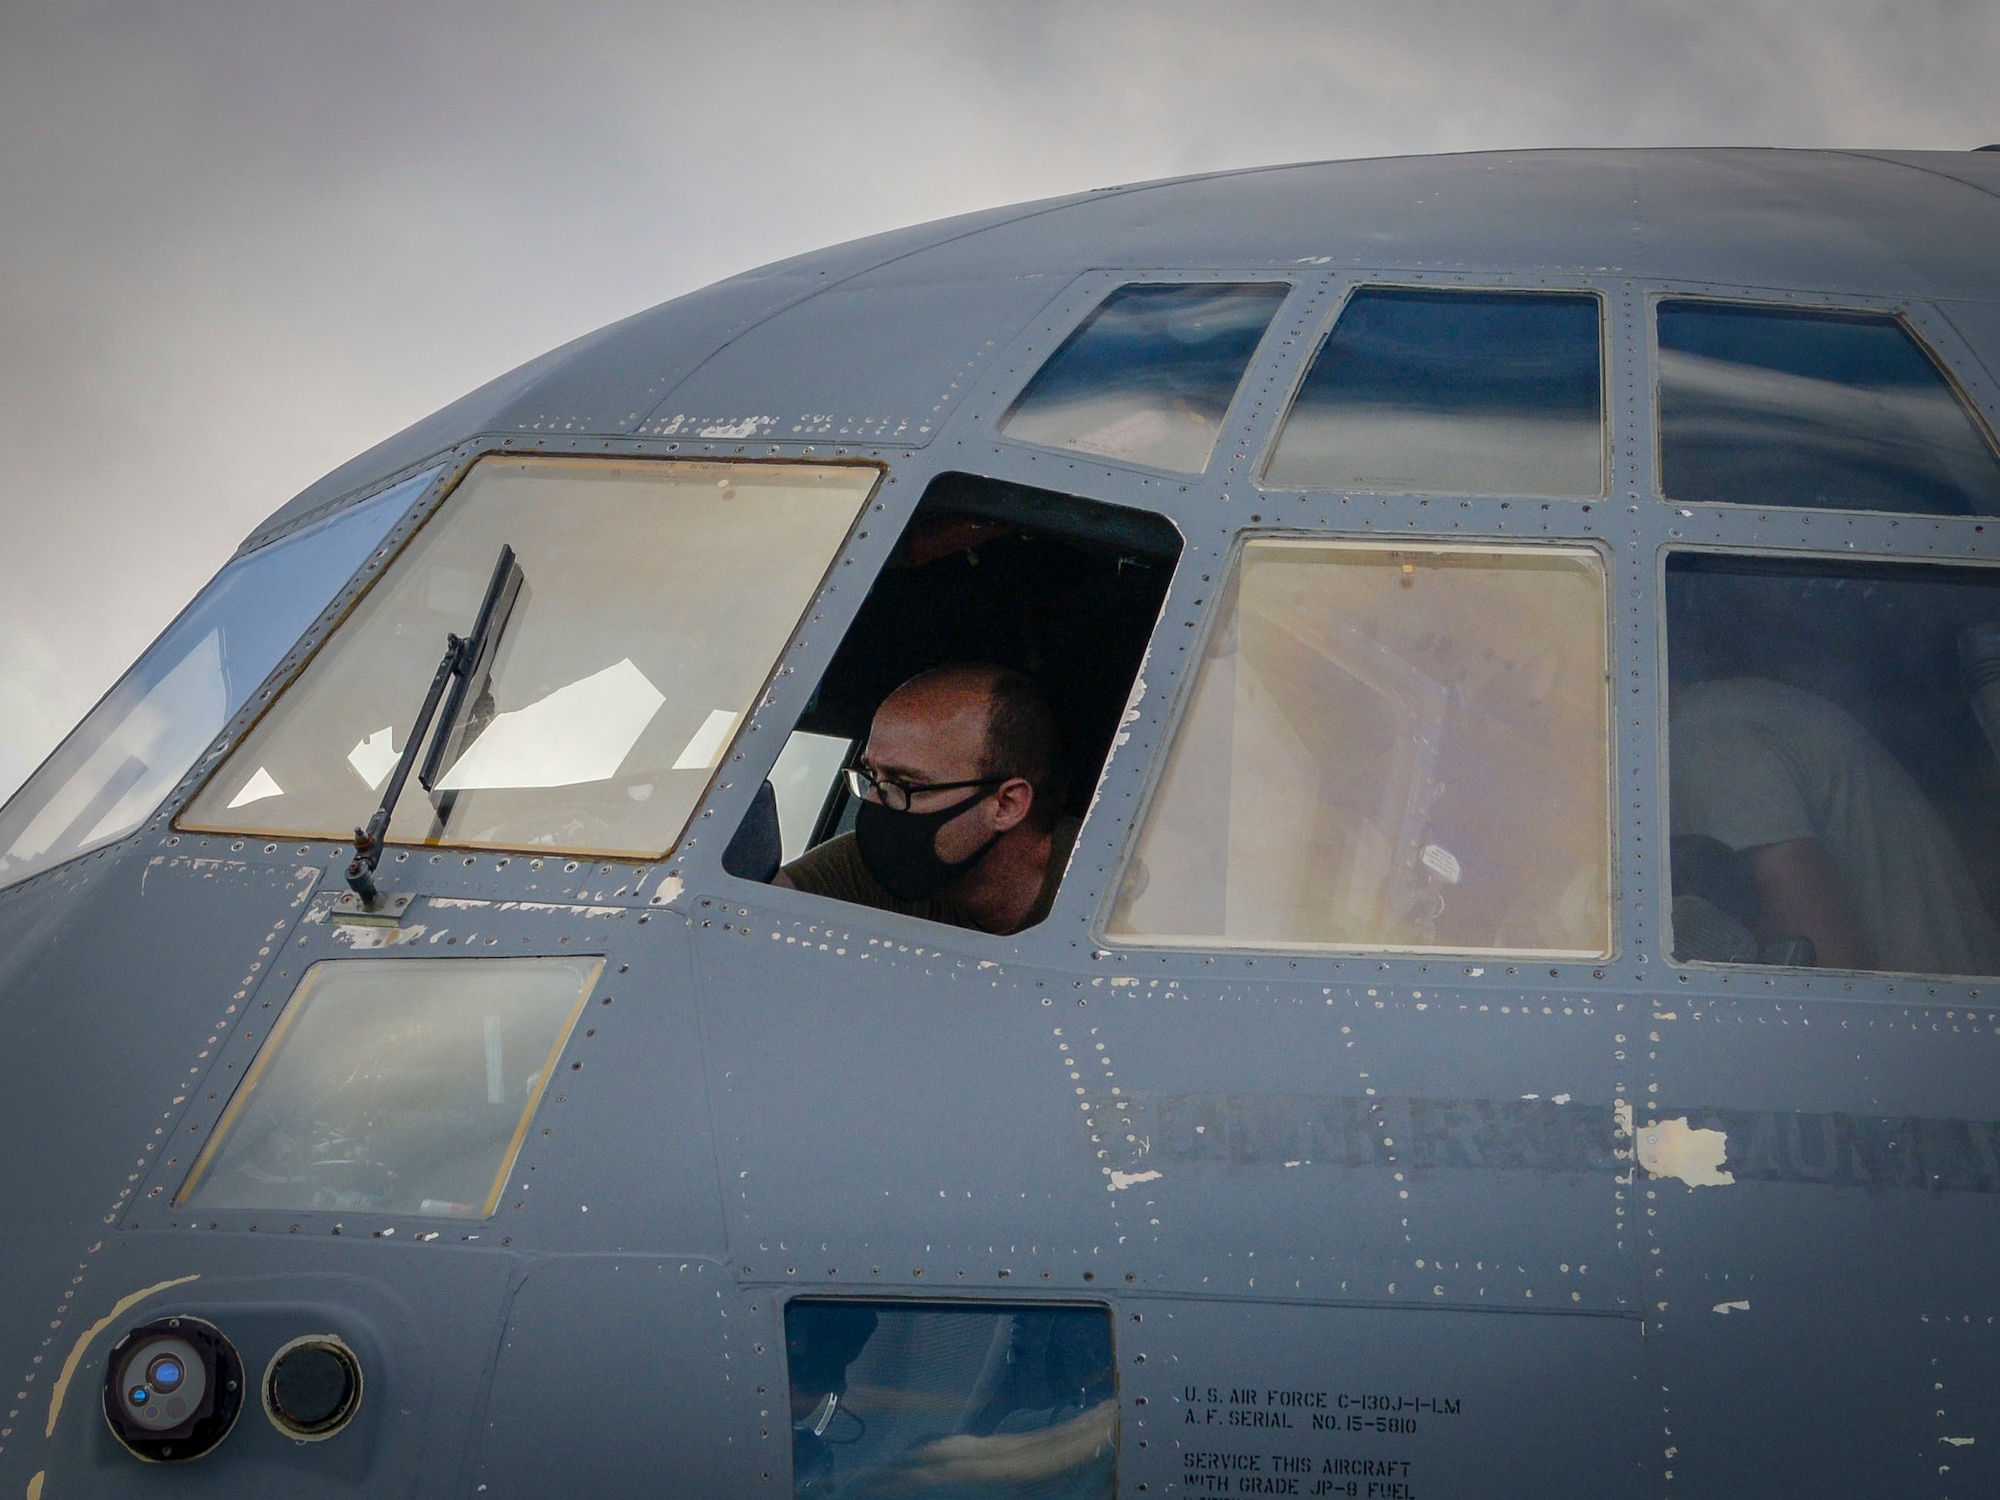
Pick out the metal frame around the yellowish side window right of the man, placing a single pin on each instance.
(1173, 723)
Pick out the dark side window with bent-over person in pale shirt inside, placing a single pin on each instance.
(1833, 751)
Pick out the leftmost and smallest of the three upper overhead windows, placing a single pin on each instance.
(1149, 375)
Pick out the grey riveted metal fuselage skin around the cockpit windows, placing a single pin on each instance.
(1403, 1221)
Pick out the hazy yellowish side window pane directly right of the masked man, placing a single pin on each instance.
(1389, 747)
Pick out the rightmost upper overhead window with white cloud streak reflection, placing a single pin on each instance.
(1807, 407)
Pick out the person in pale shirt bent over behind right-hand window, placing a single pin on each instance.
(1841, 845)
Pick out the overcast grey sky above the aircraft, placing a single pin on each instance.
(241, 243)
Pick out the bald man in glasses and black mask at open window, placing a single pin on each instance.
(961, 807)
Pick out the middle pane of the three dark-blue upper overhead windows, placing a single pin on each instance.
(1451, 393)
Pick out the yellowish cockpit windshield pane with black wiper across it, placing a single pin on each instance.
(655, 601)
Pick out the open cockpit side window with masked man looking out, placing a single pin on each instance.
(1035, 605)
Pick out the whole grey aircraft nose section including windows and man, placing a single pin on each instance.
(1323, 831)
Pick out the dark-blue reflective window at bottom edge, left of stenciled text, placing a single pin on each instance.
(949, 1399)
